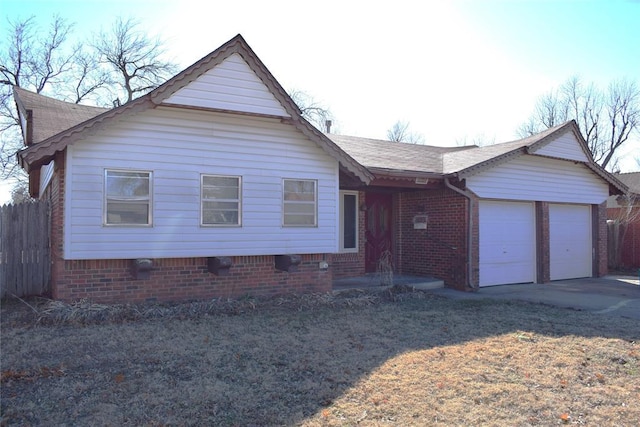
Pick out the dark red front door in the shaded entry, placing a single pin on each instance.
(378, 229)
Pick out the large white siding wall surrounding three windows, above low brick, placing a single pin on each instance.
(178, 146)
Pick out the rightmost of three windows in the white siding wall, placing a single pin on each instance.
(299, 203)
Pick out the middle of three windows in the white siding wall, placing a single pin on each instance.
(221, 200)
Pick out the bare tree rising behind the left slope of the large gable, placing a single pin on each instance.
(134, 57)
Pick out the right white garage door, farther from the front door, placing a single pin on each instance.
(570, 241)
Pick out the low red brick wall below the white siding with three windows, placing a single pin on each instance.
(181, 279)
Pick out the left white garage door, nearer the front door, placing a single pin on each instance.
(507, 243)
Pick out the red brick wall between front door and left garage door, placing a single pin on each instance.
(440, 250)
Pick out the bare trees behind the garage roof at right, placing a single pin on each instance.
(607, 118)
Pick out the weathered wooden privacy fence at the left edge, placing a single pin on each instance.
(25, 265)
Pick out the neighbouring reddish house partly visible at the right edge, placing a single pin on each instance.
(623, 212)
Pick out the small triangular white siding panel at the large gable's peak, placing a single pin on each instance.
(232, 86)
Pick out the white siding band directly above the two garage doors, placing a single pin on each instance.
(541, 179)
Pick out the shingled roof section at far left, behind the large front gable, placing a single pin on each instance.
(51, 115)
